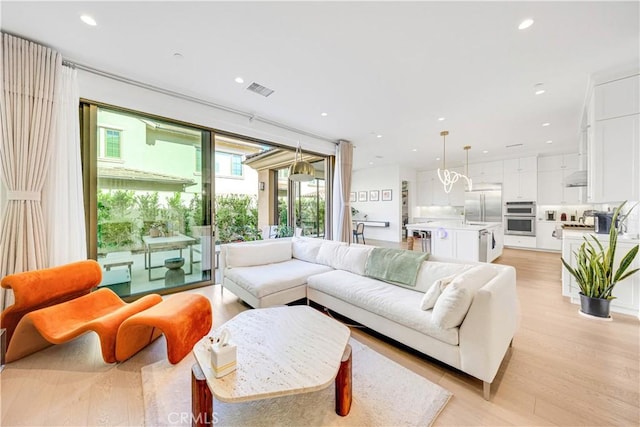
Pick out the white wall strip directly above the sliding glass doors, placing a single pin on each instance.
(106, 90)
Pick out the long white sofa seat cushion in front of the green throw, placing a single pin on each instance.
(398, 304)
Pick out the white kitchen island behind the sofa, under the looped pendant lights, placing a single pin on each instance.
(476, 241)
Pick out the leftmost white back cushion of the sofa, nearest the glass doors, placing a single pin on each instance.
(267, 252)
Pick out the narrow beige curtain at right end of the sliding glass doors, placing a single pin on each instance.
(343, 230)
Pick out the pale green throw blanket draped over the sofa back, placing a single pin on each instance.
(395, 266)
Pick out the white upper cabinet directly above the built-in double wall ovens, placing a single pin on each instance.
(520, 179)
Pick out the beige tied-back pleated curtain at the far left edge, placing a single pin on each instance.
(27, 121)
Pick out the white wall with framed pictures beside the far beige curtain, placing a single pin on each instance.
(380, 178)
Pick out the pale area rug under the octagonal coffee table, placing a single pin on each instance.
(384, 394)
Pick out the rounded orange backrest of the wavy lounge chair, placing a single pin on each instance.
(38, 289)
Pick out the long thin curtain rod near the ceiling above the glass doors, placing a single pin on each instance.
(179, 95)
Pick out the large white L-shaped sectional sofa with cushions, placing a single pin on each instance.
(463, 314)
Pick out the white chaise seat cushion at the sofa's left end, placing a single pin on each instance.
(267, 279)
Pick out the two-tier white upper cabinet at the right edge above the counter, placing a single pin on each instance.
(614, 143)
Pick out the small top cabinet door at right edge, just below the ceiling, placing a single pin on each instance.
(617, 98)
